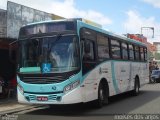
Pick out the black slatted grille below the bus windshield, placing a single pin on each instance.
(42, 80)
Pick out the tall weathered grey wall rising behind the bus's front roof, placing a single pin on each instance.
(19, 15)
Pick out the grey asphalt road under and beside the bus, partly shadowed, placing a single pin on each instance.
(147, 102)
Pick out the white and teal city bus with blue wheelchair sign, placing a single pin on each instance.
(69, 61)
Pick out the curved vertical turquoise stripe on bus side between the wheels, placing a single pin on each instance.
(113, 78)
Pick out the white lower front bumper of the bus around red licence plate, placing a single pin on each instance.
(71, 97)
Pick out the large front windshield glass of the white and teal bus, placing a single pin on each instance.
(60, 51)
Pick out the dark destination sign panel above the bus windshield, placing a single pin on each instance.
(46, 28)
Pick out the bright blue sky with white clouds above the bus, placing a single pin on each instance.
(118, 16)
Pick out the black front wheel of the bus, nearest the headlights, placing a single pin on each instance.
(103, 94)
